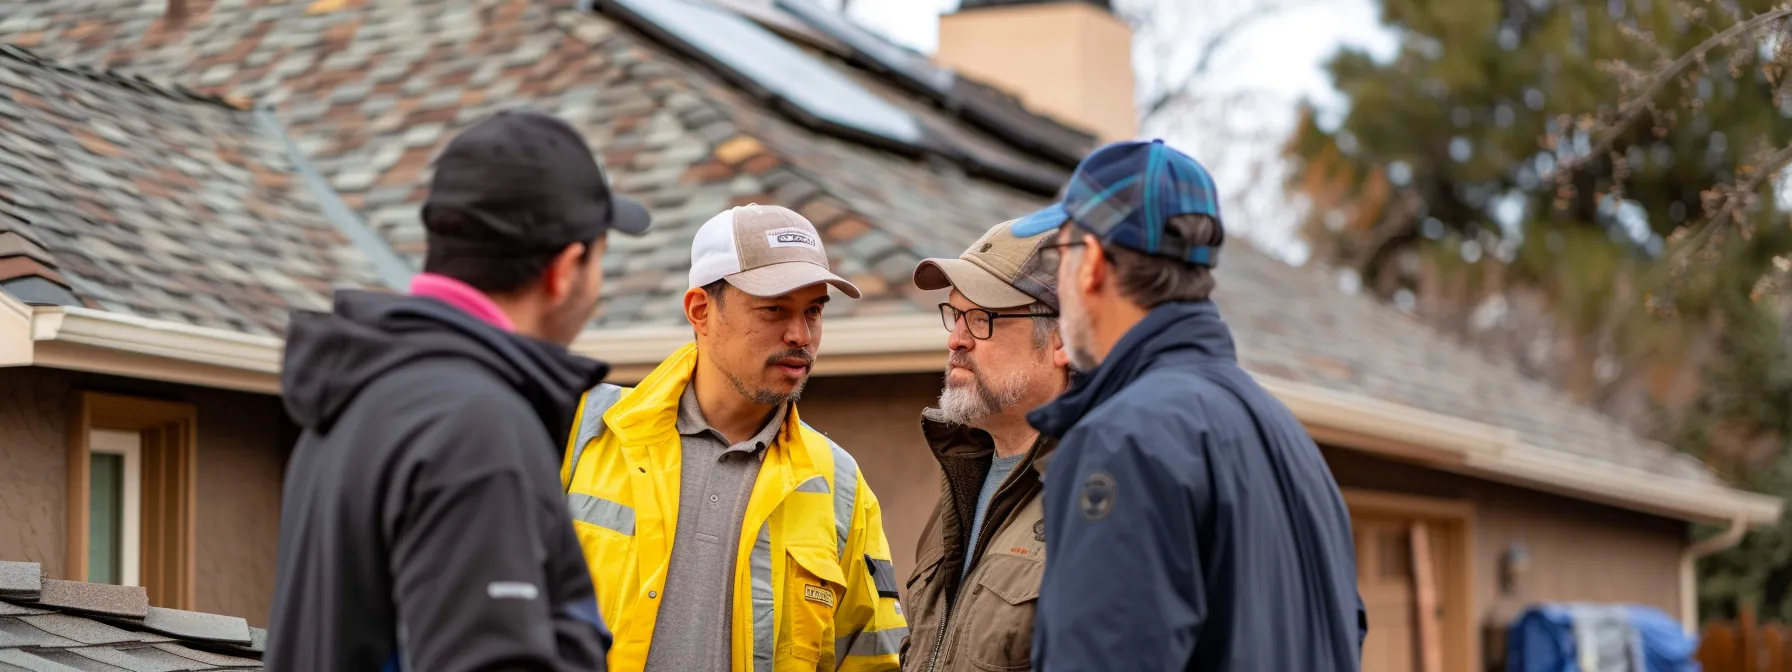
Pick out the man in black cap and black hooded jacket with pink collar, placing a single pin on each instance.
(422, 524)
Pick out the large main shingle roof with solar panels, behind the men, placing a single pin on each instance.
(374, 89)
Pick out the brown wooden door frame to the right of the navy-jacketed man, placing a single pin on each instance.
(1458, 560)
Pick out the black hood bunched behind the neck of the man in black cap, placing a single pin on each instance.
(332, 358)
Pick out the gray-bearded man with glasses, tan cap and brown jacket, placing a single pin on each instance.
(981, 556)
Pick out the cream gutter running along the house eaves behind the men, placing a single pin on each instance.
(148, 349)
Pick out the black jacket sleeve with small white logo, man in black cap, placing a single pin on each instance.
(472, 567)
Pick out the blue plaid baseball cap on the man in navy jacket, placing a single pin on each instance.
(1124, 194)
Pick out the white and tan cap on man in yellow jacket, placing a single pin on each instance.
(762, 252)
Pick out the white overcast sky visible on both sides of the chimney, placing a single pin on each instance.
(1282, 56)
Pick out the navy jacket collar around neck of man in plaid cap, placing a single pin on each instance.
(1171, 331)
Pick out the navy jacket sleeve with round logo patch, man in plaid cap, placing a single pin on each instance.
(1123, 589)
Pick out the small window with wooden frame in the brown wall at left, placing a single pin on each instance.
(132, 497)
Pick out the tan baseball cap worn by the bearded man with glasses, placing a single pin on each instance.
(997, 271)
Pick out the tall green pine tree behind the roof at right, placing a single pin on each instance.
(1590, 189)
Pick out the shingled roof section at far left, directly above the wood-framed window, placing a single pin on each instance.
(155, 202)
